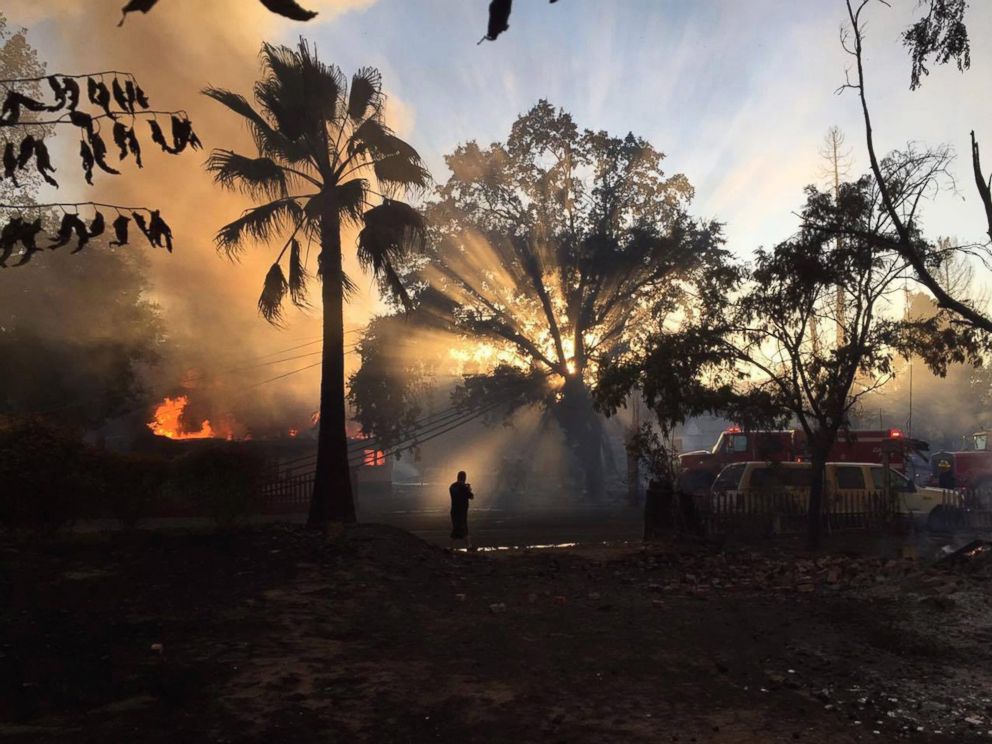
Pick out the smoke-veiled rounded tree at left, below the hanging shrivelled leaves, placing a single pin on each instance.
(82, 364)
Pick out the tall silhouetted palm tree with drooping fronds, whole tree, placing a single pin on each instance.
(323, 155)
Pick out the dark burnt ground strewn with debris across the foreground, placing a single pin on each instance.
(278, 635)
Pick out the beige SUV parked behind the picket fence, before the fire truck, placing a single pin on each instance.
(845, 486)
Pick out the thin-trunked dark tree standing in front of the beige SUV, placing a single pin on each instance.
(766, 354)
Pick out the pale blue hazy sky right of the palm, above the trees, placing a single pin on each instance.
(738, 94)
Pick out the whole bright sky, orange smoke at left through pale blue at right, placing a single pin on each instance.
(739, 94)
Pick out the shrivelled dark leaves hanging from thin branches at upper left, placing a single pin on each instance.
(118, 111)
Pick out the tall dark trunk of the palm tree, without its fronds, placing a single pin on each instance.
(333, 499)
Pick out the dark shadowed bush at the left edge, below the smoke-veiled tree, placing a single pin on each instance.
(45, 474)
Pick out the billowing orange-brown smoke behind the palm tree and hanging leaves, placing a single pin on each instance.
(217, 341)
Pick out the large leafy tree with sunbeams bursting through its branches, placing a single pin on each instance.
(554, 248)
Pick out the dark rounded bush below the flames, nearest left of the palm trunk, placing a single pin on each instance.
(223, 481)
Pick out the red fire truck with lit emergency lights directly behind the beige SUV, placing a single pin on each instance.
(699, 469)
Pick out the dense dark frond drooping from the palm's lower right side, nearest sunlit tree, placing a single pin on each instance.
(392, 231)
